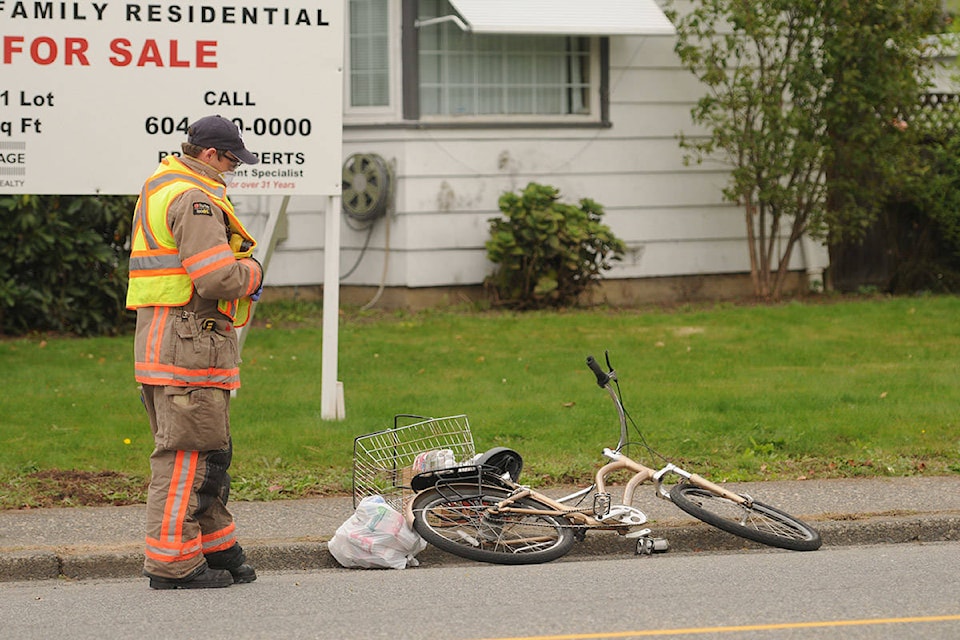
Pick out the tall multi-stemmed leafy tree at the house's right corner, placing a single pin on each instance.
(801, 96)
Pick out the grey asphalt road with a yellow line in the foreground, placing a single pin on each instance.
(868, 592)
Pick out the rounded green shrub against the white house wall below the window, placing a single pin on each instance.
(547, 253)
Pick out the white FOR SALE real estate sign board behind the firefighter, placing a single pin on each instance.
(94, 94)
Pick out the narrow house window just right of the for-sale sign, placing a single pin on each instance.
(369, 53)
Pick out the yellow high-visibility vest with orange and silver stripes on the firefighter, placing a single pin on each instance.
(157, 276)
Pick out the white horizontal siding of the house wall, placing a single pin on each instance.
(448, 181)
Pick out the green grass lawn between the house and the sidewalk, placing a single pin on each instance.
(845, 388)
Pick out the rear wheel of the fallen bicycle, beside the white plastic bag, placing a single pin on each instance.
(457, 518)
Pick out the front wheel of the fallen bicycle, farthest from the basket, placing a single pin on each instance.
(758, 522)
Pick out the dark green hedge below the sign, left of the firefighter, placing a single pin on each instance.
(65, 264)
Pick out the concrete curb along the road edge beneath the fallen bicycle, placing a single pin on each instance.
(86, 563)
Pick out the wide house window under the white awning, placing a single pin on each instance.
(466, 74)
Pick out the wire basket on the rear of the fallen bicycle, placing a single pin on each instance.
(383, 462)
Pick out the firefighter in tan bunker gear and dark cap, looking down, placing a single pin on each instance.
(191, 288)
